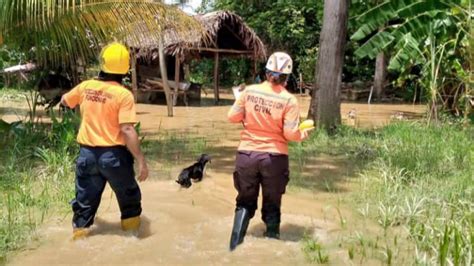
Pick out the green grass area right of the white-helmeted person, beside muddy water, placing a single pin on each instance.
(416, 181)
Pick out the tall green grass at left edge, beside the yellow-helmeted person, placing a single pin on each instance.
(36, 176)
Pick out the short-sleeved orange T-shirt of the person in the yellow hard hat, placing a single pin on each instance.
(104, 106)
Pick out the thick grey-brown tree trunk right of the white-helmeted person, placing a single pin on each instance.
(325, 102)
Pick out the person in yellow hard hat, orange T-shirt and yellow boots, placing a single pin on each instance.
(108, 143)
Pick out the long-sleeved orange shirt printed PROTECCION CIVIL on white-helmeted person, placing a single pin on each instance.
(270, 116)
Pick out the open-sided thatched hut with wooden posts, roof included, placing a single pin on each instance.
(226, 35)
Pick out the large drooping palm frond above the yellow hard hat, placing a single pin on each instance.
(61, 31)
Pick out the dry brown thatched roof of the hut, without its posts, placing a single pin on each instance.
(224, 30)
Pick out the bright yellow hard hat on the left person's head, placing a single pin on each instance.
(115, 59)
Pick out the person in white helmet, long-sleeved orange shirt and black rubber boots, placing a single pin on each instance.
(270, 116)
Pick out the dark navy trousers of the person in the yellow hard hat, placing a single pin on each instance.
(95, 166)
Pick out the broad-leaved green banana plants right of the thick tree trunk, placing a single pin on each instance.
(428, 44)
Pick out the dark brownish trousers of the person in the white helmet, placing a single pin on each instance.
(268, 170)
